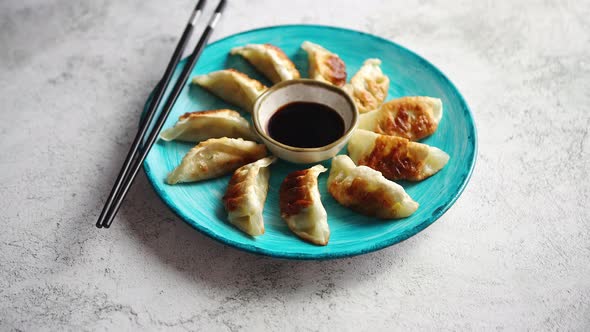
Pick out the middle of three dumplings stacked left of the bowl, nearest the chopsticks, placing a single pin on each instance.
(200, 126)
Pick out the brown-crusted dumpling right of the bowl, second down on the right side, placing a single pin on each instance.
(410, 117)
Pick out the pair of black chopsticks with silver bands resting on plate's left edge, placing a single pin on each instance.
(137, 153)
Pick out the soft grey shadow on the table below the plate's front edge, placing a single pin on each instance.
(204, 260)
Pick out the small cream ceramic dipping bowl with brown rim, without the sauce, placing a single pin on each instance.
(303, 90)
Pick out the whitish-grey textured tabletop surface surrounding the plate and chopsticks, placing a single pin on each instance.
(513, 253)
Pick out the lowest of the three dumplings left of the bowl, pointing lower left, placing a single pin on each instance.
(215, 157)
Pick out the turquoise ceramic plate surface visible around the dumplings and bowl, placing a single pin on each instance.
(199, 204)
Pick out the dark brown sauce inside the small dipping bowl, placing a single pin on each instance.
(306, 125)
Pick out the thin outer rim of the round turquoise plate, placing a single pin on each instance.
(328, 255)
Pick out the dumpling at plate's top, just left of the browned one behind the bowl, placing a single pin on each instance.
(269, 60)
